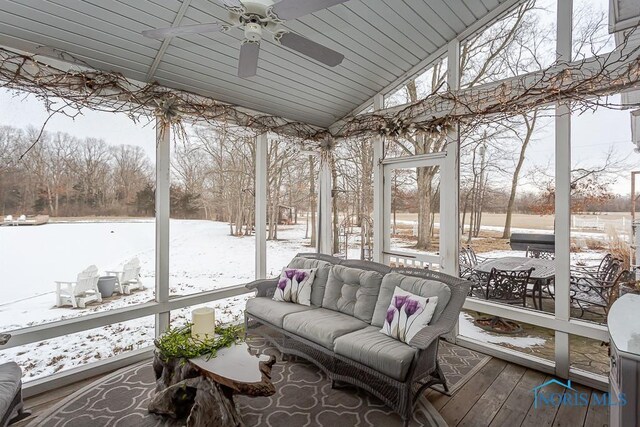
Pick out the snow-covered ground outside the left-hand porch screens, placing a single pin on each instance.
(203, 257)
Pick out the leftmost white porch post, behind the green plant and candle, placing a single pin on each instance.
(163, 212)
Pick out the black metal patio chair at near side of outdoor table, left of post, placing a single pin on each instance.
(508, 286)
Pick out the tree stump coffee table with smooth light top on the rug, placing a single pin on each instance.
(202, 390)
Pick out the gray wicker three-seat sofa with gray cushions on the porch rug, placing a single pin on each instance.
(339, 332)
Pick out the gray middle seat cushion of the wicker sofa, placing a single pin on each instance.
(322, 326)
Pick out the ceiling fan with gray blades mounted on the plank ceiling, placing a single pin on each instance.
(257, 17)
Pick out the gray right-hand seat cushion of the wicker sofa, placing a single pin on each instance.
(377, 351)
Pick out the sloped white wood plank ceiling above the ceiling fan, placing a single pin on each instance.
(380, 39)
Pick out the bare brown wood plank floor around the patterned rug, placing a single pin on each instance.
(498, 395)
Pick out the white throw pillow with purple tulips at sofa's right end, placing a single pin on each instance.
(408, 314)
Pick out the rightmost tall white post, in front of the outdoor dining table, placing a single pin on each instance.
(563, 195)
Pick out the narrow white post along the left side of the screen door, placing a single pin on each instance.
(378, 189)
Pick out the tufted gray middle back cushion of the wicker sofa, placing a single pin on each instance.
(352, 291)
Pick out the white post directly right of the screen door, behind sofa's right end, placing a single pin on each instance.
(449, 212)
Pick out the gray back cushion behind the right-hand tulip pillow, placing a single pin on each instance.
(415, 285)
